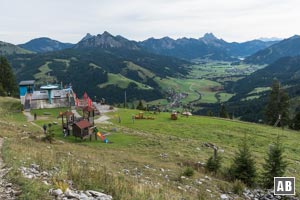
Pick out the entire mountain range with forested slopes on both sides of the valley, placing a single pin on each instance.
(108, 65)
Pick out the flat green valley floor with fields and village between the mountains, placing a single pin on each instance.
(205, 83)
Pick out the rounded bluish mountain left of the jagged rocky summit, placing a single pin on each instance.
(44, 44)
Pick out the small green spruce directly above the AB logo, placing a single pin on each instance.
(274, 165)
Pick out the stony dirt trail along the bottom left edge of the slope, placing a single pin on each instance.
(6, 188)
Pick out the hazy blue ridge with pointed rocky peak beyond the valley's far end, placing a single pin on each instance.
(206, 47)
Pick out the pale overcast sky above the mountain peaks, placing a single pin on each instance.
(70, 20)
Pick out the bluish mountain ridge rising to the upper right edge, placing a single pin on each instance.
(286, 47)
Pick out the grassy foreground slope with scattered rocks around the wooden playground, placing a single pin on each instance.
(134, 146)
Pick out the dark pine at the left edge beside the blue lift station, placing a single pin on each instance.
(8, 84)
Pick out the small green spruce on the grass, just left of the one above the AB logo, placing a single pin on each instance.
(243, 167)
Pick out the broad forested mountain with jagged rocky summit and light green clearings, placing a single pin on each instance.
(102, 64)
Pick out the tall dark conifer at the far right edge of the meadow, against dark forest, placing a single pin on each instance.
(278, 104)
